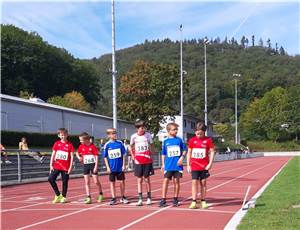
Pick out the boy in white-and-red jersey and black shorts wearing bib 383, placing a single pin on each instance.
(141, 147)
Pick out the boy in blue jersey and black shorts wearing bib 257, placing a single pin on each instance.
(173, 154)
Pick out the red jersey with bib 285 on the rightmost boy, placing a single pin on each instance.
(200, 148)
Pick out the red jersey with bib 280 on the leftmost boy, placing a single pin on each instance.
(62, 157)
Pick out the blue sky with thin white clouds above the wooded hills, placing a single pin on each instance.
(84, 27)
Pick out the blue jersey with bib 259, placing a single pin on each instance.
(114, 152)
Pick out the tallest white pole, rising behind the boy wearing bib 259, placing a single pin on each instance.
(114, 66)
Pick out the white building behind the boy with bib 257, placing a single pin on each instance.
(189, 123)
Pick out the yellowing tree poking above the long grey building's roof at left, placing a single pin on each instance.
(73, 100)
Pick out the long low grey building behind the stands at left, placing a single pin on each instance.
(24, 115)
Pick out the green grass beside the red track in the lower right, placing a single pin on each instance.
(274, 208)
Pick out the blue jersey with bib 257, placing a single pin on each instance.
(172, 148)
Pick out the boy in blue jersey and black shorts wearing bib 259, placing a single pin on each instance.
(114, 158)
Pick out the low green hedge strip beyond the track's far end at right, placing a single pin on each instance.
(272, 146)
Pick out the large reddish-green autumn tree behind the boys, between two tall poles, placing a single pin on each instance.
(149, 92)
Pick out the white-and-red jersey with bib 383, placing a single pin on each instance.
(141, 151)
